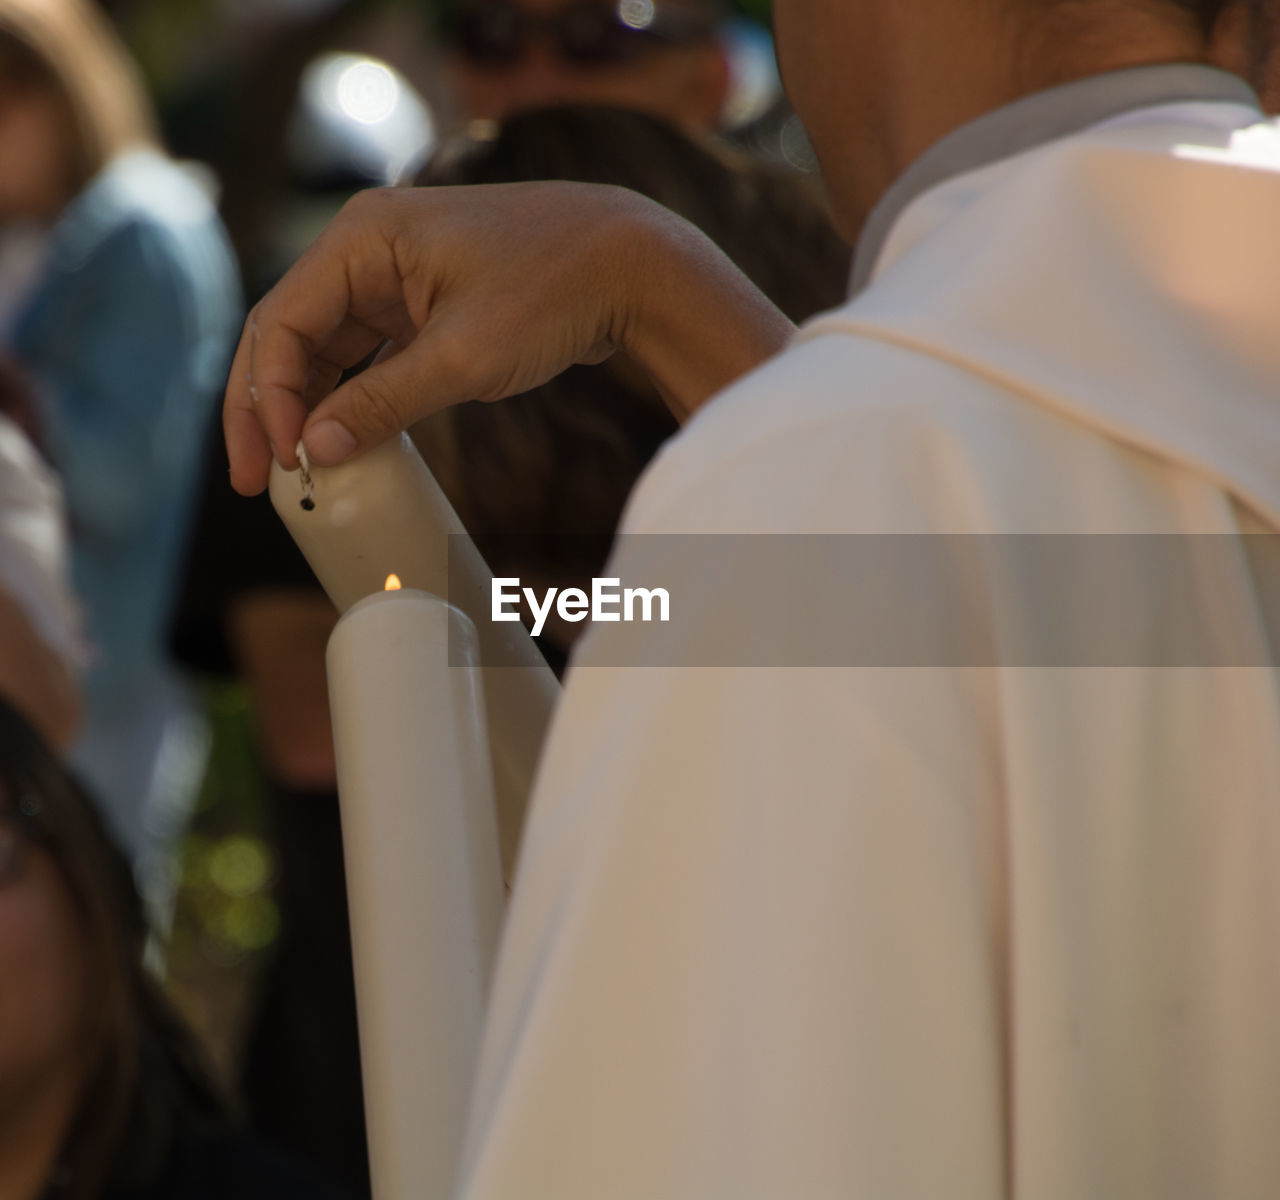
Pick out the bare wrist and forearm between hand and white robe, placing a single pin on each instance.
(694, 323)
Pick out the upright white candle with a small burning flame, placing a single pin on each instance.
(423, 872)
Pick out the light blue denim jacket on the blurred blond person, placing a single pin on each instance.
(130, 333)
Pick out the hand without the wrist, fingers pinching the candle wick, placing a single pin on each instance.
(483, 294)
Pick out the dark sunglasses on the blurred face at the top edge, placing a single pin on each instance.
(592, 34)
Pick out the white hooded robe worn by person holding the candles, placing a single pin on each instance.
(964, 933)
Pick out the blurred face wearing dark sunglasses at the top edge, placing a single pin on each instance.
(660, 57)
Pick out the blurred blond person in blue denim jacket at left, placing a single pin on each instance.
(121, 313)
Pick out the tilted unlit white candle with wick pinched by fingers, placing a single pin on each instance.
(385, 512)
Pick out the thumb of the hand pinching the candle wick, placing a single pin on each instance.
(380, 404)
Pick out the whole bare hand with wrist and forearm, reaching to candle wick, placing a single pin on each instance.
(482, 294)
